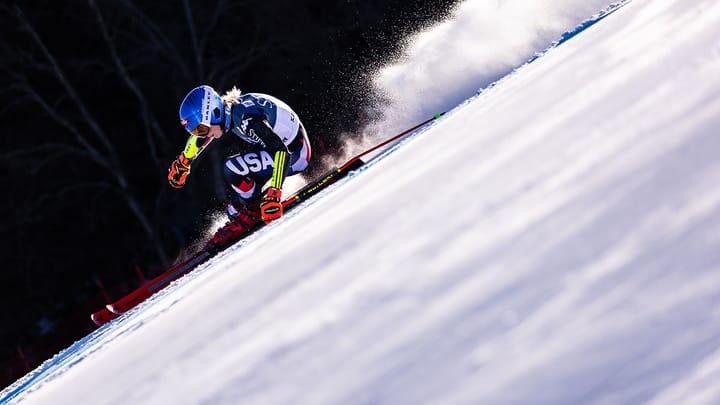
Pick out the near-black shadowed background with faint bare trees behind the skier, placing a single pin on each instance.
(90, 92)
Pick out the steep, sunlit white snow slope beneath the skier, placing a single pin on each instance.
(555, 239)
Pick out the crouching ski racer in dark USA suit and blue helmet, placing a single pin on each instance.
(276, 146)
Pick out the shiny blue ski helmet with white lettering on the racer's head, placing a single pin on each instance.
(201, 106)
